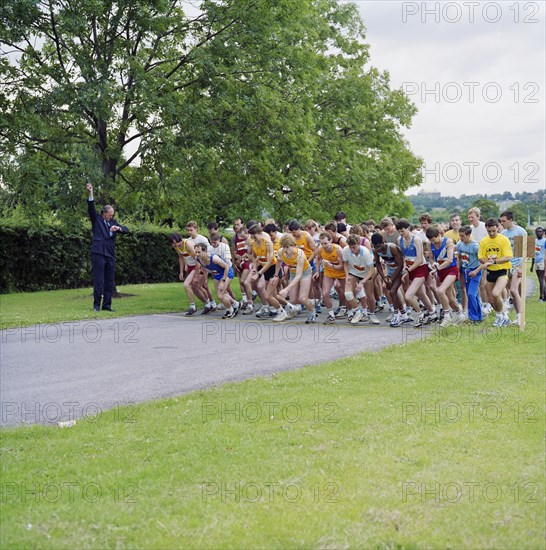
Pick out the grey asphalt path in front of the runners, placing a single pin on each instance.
(57, 372)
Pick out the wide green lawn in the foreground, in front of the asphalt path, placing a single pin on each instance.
(348, 473)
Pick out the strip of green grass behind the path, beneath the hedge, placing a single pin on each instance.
(28, 308)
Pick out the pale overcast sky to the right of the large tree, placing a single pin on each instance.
(476, 72)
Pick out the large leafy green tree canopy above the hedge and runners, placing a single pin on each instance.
(236, 106)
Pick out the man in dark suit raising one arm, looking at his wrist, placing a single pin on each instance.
(103, 251)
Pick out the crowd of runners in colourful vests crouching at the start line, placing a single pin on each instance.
(468, 271)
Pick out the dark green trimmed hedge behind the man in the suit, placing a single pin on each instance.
(52, 257)
